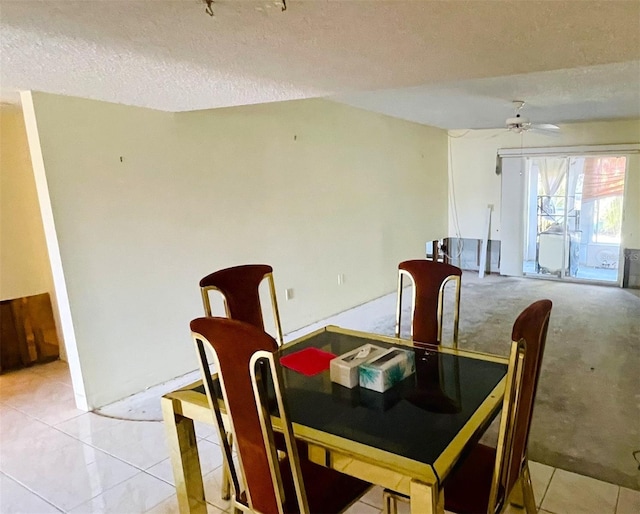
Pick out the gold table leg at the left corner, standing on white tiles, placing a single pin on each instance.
(183, 450)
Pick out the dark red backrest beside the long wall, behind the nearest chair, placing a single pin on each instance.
(239, 287)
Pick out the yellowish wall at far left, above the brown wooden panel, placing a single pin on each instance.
(24, 263)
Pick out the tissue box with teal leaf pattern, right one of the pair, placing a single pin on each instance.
(385, 371)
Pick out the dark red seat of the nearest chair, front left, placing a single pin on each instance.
(328, 491)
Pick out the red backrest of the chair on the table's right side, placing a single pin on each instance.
(528, 336)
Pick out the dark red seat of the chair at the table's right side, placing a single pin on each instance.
(466, 490)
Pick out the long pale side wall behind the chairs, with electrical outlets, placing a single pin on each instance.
(145, 203)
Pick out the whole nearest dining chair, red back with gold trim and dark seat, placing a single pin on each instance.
(245, 361)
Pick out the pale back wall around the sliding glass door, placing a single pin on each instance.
(473, 165)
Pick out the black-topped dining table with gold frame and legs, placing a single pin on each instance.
(406, 439)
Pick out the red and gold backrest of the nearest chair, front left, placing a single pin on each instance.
(234, 345)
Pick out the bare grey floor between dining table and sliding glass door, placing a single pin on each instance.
(587, 411)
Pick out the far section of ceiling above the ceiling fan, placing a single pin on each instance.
(607, 91)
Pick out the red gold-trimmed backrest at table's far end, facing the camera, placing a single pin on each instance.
(428, 279)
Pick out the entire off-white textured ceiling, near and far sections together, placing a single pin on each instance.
(422, 60)
